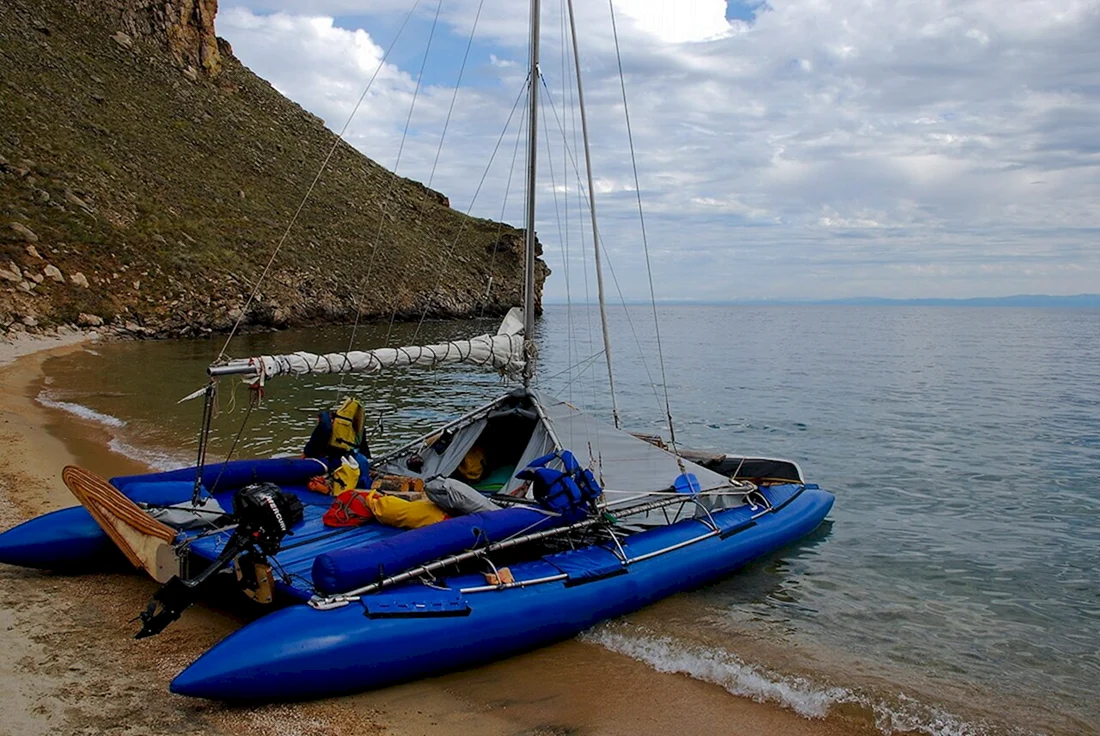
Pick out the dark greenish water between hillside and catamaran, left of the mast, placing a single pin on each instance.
(142, 380)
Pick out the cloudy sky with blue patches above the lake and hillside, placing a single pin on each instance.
(787, 150)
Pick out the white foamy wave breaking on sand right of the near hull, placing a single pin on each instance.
(806, 698)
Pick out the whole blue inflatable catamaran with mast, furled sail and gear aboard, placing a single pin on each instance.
(522, 523)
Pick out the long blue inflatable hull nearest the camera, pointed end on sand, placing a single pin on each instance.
(389, 638)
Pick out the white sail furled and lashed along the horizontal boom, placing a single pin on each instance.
(503, 353)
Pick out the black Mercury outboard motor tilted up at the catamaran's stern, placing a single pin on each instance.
(265, 515)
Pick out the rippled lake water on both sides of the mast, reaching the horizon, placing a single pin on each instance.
(955, 588)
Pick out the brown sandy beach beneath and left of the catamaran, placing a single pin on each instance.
(69, 664)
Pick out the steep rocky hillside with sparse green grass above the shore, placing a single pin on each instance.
(147, 175)
